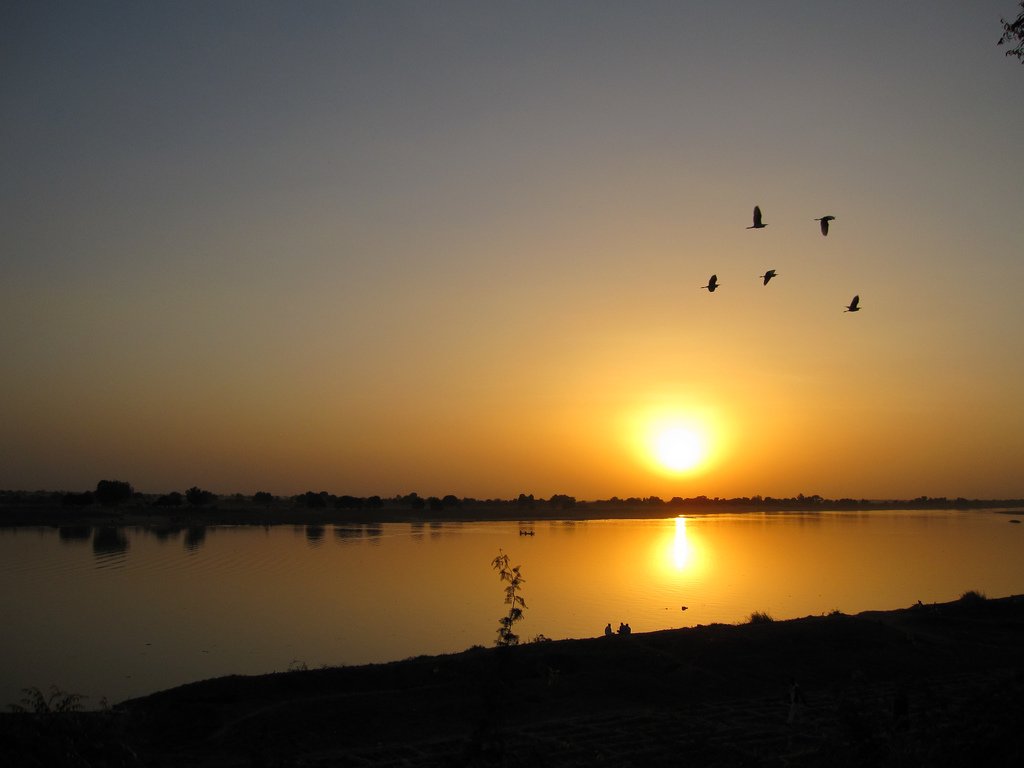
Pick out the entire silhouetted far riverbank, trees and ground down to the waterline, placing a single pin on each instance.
(116, 503)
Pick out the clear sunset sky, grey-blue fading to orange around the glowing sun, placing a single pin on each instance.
(458, 248)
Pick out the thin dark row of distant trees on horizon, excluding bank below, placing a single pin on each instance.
(121, 494)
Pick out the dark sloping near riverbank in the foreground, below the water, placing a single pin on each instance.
(931, 686)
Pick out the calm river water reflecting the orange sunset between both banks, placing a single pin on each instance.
(120, 613)
